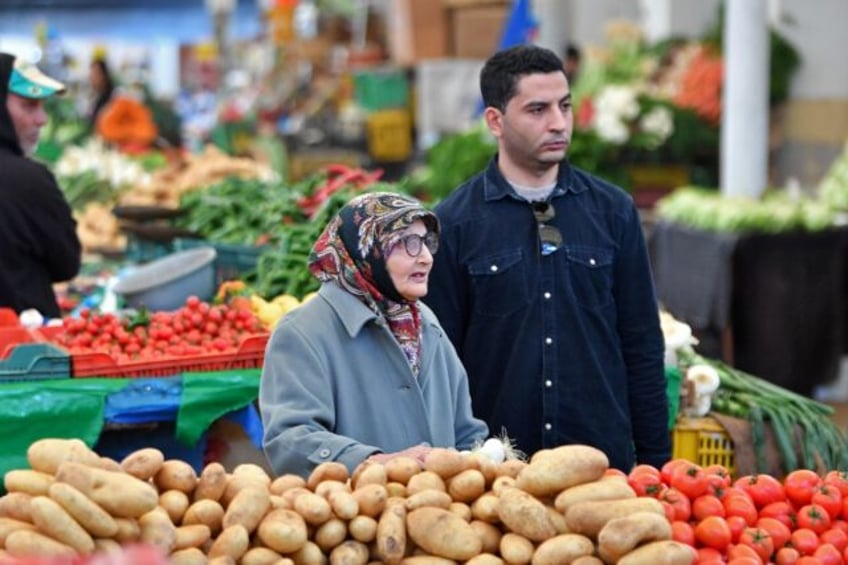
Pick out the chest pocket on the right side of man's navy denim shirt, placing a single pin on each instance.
(590, 275)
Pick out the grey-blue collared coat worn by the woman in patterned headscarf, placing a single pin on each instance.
(336, 386)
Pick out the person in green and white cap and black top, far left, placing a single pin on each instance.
(38, 239)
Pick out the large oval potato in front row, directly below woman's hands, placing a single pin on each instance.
(442, 533)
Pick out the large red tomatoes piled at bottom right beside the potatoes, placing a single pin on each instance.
(754, 519)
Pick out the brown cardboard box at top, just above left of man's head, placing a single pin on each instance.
(476, 28)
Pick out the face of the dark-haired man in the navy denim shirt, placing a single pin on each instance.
(535, 129)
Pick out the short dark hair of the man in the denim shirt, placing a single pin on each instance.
(503, 70)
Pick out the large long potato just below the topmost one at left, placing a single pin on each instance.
(119, 494)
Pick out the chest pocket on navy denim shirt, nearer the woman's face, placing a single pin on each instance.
(499, 283)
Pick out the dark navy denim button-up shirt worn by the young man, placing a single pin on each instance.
(563, 348)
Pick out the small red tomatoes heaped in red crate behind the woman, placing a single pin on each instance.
(197, 328)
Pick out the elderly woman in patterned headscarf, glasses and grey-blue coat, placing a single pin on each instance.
(364, 370)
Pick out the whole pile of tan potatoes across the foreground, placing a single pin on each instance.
(561, 507)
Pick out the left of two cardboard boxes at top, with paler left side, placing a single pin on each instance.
(417, 30)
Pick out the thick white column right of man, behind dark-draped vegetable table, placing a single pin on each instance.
(744, 136)
